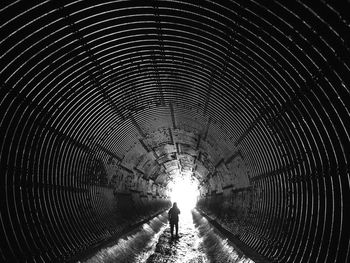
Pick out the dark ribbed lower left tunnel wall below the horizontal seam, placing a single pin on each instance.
(57, 222)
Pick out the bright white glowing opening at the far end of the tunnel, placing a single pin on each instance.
(184, 191)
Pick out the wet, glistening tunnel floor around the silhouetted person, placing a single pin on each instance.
(198, 242)
